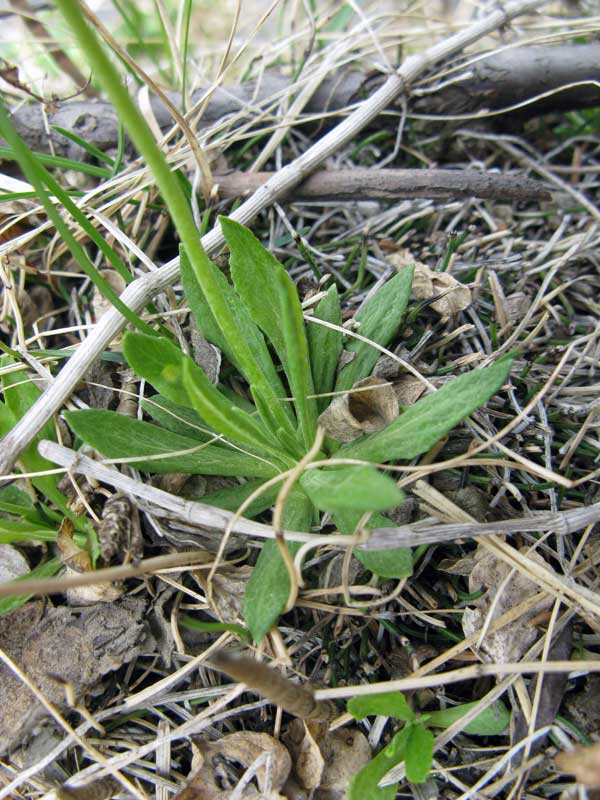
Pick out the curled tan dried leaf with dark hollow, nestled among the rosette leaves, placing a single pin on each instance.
(368, 407)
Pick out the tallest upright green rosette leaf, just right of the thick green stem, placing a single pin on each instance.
(272, 300)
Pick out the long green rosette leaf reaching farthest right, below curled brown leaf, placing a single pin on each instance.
(418, 428)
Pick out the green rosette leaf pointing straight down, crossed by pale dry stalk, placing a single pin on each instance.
(269, 585)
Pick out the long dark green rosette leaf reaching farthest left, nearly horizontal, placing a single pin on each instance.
(117, 436)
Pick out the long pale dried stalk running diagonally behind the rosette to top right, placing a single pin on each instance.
(142, 290)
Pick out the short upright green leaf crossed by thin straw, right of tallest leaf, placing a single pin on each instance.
(325, 345)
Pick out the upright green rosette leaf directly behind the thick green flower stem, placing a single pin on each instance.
(242, 342)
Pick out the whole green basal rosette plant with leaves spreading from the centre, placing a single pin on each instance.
(289, 366)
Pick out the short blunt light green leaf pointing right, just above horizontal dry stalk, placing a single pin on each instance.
(351, 489)
